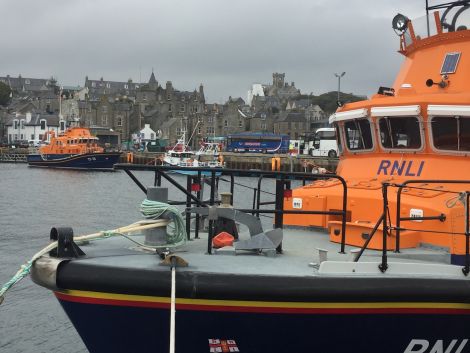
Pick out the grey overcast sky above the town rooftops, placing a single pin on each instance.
(225, 45)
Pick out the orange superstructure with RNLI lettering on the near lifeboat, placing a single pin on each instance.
(418, 130)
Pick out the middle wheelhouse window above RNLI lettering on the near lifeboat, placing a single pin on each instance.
(400, 132)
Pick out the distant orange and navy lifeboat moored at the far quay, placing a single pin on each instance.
(76, 148)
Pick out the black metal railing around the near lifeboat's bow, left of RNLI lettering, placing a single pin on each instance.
(215, 175)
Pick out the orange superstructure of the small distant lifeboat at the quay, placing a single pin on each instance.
(76, 140)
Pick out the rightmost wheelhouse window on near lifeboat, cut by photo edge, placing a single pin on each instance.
(451, 133)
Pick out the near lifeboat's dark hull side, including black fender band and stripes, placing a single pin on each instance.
(122, 310)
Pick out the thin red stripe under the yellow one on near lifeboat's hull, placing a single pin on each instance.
(267, 310)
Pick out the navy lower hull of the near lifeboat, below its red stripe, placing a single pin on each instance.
(121, 328)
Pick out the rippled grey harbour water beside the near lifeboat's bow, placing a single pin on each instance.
(32, 201)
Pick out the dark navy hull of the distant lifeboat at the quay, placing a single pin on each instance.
(93, 161)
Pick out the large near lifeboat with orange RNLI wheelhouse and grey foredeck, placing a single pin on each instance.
(389, 274)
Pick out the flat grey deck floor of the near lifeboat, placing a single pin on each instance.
(300, 256)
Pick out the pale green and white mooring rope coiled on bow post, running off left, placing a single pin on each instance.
(149, 209)
